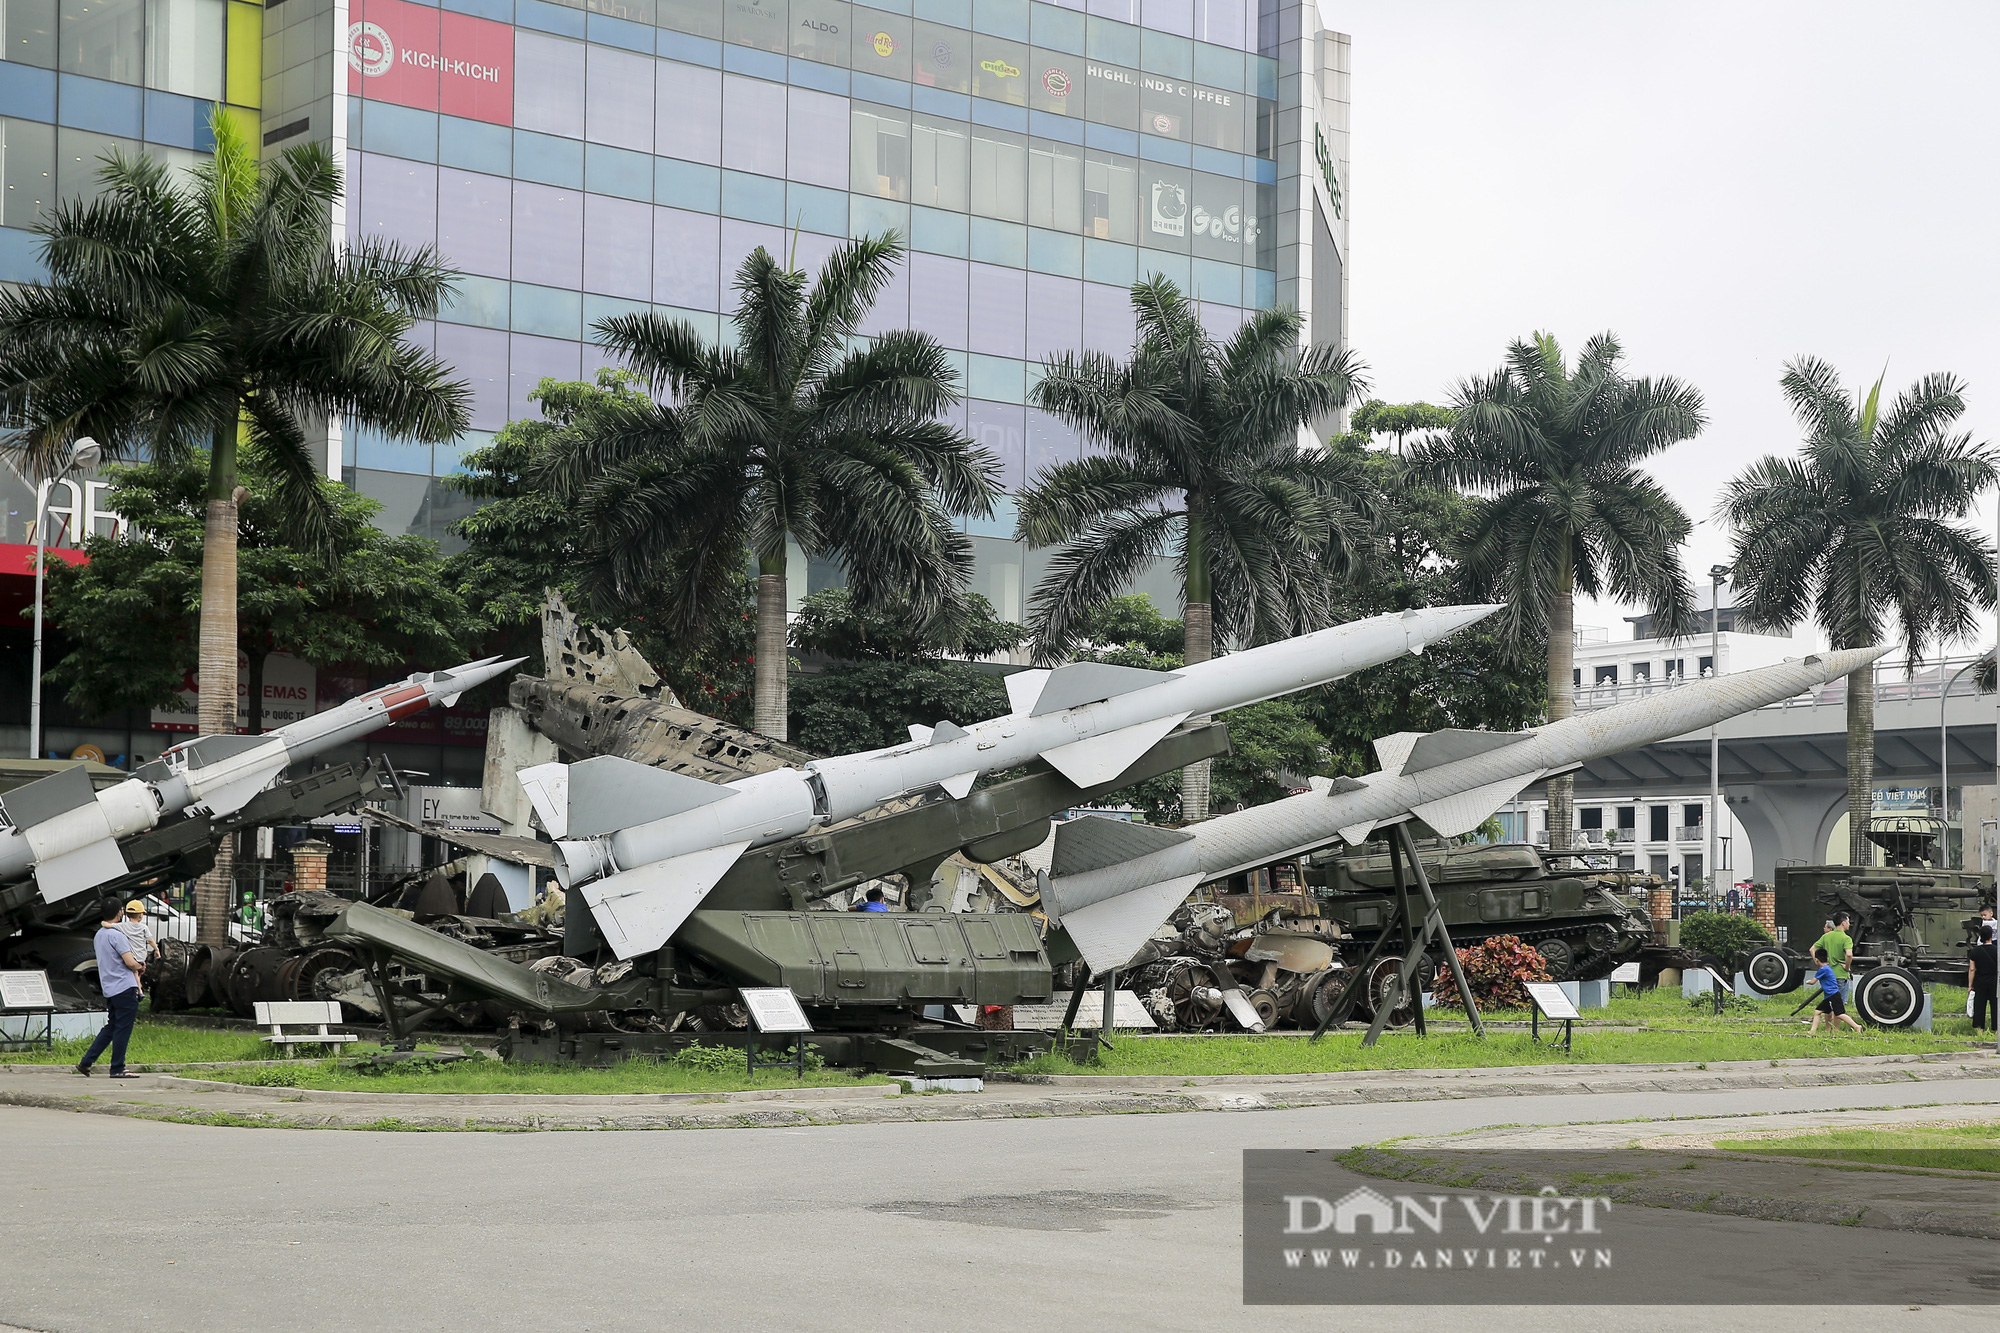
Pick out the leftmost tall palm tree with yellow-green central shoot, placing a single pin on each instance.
(217, 313)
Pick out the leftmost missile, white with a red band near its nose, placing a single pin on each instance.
(67, 834)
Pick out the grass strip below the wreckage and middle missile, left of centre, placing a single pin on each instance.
(633, 1076)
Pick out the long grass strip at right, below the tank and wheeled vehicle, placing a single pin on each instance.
(1277, 1056)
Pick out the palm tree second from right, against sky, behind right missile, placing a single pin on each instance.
(1551, 455)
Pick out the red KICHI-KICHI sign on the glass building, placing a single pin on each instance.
(429, 59)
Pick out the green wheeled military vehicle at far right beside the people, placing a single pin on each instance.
(1909, 928)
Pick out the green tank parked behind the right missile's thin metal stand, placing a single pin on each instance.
(1577, 920)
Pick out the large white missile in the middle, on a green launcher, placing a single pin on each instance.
(645, 846)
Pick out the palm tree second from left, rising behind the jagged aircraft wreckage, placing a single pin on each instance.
(791, 435)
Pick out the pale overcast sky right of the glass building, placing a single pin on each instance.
(1723, 185)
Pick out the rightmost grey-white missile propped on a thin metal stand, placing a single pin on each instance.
(1113, 884)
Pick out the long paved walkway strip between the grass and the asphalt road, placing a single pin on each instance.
(207, 1102)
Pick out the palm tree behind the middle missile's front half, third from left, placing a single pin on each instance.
(1201, 463)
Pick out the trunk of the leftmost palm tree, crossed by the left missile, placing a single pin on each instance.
(217, 672)
